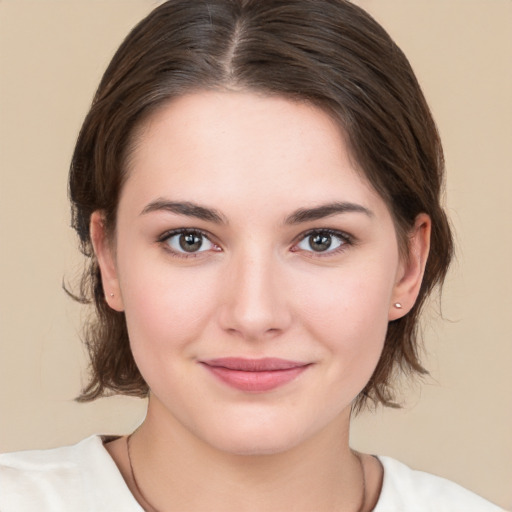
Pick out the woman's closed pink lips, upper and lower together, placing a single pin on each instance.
(255, 375)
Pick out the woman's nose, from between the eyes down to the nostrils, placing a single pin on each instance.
(256, 304)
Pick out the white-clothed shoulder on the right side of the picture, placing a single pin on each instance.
(405, 489)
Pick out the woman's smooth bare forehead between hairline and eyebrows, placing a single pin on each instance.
(243, 147)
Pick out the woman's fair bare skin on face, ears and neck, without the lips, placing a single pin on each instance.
(256, 288)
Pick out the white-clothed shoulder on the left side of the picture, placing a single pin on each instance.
(81, 477)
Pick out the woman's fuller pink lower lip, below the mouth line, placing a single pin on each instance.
(255, 381)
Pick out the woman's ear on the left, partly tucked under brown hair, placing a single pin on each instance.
(105, 254)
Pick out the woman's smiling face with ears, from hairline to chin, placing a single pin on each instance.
(257, 270)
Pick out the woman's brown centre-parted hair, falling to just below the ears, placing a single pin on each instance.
(328, 52)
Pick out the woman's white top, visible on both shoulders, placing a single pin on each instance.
(84, 478)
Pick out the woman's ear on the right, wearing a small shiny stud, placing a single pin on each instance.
(410, 274)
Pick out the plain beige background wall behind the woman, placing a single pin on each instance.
(458, 425)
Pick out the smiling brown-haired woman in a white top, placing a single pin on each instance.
(257, 185)
